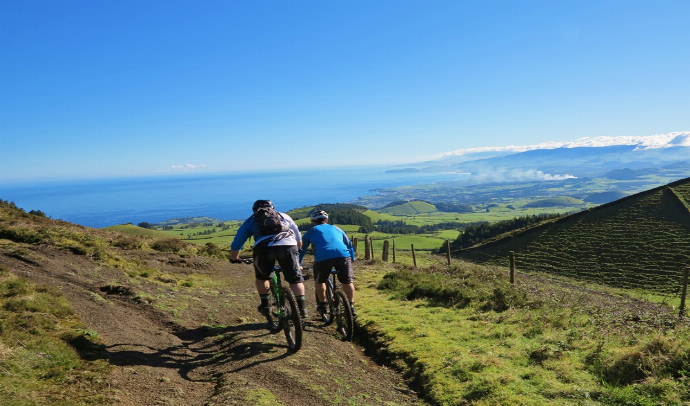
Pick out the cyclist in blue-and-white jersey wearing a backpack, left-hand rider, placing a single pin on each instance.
(269, 247)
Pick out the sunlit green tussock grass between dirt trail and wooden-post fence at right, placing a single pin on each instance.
(464, 335)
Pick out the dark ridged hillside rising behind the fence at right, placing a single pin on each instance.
(638, 241)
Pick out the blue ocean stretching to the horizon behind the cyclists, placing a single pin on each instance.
(229, 196)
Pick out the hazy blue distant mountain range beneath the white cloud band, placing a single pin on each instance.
(559, 163)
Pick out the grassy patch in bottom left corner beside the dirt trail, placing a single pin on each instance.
(40, 344)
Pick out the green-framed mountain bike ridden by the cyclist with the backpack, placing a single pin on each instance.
(283, 312)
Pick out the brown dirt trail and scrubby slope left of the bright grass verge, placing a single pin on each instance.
(173, 326)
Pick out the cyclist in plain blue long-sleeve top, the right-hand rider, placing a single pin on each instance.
(332, 249)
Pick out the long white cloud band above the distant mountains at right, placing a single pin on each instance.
(674, 139)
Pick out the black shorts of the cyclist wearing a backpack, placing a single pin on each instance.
(288, 258)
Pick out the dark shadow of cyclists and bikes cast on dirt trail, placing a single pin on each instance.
(202, 354)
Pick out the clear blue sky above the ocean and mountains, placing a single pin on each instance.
(104, 88)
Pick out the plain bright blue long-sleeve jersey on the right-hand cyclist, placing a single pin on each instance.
(327, 241)
